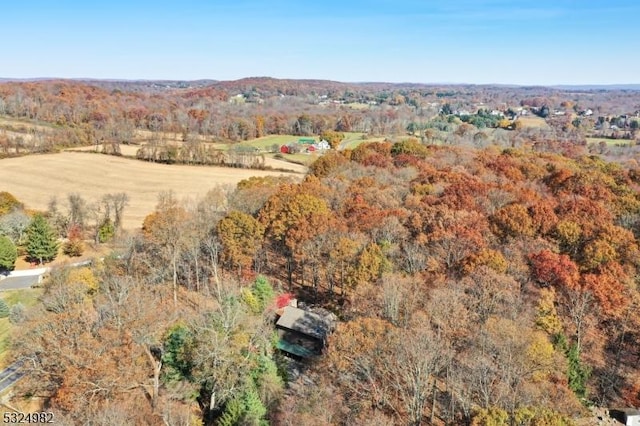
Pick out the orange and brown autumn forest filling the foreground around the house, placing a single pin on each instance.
(468, 283)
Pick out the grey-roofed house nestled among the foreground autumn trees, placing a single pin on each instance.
(302, 333)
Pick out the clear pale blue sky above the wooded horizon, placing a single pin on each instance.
(428, 41)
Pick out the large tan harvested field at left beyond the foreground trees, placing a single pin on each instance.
(35, 179)
